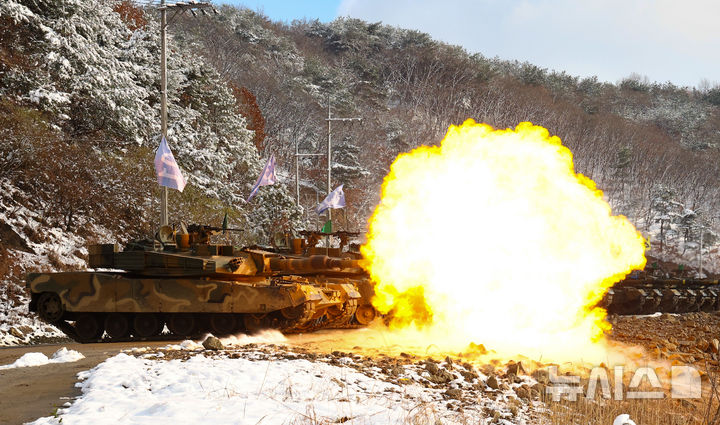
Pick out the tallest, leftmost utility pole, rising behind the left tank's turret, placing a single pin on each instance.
(179, 7)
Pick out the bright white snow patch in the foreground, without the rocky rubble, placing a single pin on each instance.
(250, 389)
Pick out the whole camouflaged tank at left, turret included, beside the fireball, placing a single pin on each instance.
(191, 286)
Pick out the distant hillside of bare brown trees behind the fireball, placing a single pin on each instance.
(651, 147)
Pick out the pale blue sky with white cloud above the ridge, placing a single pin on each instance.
(664, 40)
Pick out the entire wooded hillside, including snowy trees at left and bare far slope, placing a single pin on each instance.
(80, 121)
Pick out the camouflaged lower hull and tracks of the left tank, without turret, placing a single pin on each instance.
(86, 305)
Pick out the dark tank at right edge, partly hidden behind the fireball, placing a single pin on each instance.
(664, 287)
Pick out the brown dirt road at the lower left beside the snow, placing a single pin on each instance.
(28, 393)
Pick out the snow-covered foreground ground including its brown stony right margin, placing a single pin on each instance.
(276, 384)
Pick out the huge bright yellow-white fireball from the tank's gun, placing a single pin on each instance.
(493, 238)
